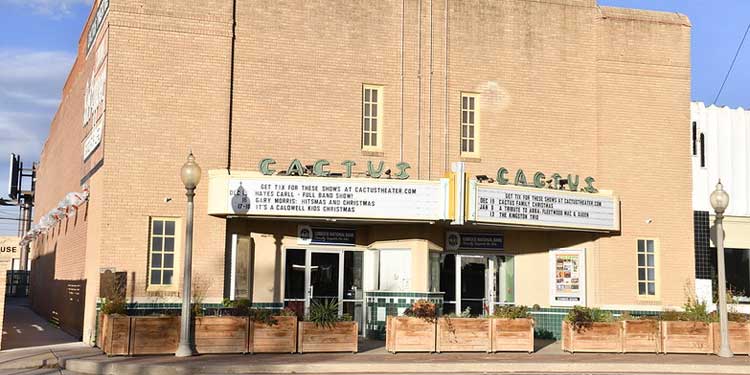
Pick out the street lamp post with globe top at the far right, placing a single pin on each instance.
(720, 201)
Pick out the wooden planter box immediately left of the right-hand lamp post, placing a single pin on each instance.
(687, 337)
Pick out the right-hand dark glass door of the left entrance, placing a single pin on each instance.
(324, 282)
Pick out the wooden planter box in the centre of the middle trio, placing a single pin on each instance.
(464, 335)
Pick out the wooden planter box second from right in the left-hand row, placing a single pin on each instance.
(278, 338)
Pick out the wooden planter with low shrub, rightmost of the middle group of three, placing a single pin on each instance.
(512, 329)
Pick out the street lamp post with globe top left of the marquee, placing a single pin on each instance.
(191, 175)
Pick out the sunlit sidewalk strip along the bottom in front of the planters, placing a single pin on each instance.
(375, 360)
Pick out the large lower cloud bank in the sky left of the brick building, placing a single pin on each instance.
(30, 88)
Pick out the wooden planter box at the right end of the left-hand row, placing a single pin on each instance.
(342, 337)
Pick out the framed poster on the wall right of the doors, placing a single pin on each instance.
(567, 277)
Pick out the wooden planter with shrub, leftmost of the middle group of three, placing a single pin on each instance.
(413, 332)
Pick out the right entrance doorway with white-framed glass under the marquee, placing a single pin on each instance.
(477, 282)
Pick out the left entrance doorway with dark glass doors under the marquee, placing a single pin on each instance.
(323, 275)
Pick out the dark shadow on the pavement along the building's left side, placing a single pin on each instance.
(23, 328)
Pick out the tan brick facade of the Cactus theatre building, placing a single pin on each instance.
(564, 85)
